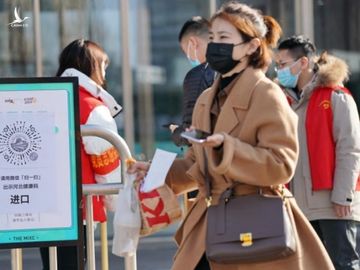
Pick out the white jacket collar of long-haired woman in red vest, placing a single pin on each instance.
(94, 89)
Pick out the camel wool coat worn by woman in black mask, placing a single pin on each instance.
(260, 149)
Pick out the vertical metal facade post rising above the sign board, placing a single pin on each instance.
(37, 31)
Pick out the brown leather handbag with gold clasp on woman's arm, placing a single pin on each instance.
(248, 228)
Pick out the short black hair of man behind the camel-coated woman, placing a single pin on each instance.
(197, 26)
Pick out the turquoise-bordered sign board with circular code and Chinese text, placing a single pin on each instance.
(40, 186)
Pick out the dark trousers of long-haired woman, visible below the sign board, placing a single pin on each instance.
(67, 257)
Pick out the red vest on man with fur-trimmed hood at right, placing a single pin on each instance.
(320, 140)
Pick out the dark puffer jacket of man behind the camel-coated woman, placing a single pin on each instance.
(196, 81)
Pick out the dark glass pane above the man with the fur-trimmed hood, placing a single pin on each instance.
(337, 30)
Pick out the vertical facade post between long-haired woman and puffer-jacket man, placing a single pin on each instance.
(127, 75)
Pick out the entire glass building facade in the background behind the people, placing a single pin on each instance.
(157, 63)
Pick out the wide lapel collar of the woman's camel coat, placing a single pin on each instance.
(238, 99)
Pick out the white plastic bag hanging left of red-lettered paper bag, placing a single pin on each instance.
(127, 220)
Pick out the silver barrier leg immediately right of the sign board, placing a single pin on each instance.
(90, 250)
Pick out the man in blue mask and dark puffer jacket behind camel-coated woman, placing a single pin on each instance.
(193, 39)
